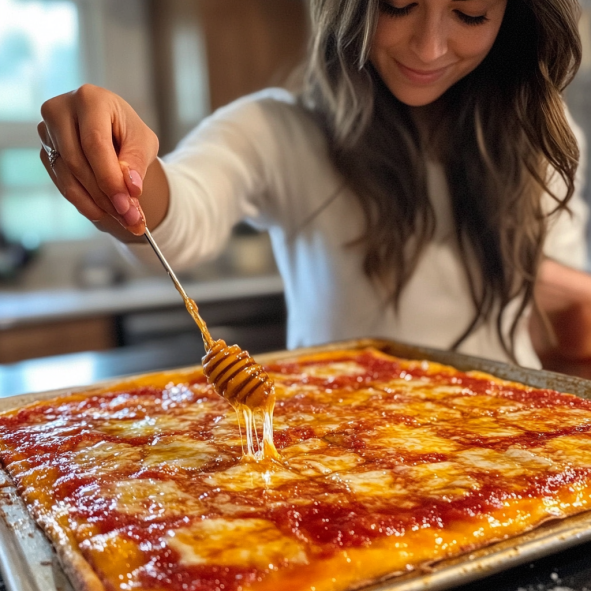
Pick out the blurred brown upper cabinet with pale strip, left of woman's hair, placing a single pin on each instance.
(208, 53)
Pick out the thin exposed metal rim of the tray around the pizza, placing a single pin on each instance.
(550, 537)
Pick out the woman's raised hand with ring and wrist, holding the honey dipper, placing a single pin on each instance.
(106, 160)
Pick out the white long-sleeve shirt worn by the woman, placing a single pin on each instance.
(264, 160)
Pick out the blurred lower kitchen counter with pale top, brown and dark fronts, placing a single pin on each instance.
(248, 310)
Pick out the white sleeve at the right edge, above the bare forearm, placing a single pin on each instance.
(566, 241)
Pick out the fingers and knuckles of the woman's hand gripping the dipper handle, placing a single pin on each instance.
(83, 126)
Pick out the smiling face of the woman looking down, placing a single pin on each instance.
(423, 47)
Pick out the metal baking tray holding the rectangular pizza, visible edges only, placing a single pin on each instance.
(29, 563)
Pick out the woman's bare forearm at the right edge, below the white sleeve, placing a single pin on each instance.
(562, 339)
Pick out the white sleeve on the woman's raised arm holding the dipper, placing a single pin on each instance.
(221, 173)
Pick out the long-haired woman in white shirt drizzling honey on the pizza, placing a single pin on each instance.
(408, 191)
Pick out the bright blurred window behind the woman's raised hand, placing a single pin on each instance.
(39, 58)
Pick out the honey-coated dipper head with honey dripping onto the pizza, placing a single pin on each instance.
(236, 376)
